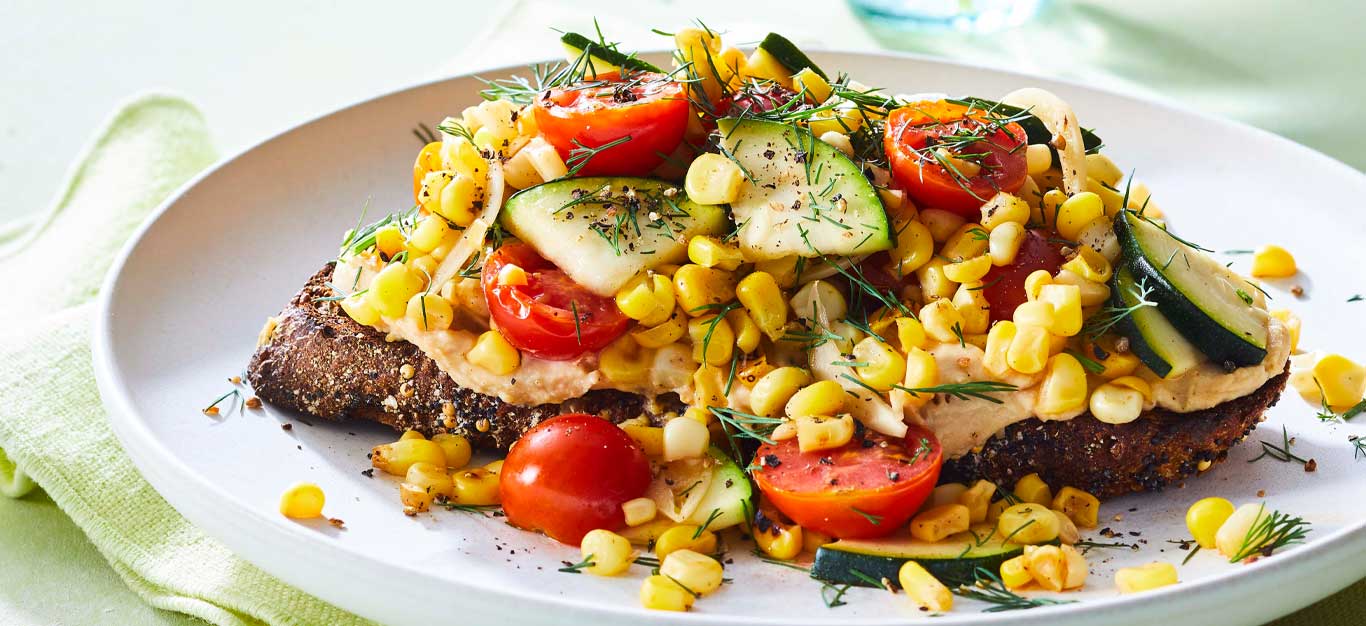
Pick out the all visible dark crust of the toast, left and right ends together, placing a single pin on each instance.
(324, 364)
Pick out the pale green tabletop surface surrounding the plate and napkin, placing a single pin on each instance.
(1293, 68)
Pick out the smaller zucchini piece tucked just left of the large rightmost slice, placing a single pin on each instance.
(1151, 336)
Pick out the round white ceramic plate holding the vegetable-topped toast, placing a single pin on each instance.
(181, 312)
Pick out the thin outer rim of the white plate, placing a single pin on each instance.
(148, 453)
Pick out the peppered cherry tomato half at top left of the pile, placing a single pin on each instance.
(648, 109)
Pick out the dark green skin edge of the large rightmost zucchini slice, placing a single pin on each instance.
(1218, 342)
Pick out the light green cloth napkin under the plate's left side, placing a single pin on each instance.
(54, 427)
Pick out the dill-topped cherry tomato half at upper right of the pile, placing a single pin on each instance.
(916, 132)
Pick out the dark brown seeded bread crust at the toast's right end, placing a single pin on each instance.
(1111, 460)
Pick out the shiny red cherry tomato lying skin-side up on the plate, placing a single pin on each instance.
(570, 475)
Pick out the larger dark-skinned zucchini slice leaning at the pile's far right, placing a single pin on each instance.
(1195, 292)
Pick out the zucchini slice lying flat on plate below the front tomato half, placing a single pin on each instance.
(951, 561)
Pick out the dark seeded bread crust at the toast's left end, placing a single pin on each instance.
(323, 364)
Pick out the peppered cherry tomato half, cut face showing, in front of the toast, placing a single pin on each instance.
(868, 489)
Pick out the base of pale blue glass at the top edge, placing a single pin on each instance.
(962, 16)
